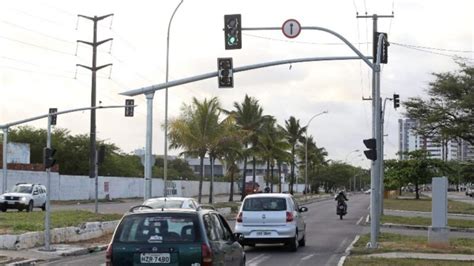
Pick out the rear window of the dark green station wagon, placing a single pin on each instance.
(158, 228)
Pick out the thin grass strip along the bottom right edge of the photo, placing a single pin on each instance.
(353, 261)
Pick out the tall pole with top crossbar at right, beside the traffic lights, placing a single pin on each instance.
(376, 133)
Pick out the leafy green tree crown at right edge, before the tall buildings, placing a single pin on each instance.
(448, 113)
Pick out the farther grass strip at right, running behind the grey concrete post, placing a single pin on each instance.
(424, 205)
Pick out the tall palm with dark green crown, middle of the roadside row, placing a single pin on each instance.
(248, 117)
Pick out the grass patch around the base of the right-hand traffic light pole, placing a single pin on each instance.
(402, 243)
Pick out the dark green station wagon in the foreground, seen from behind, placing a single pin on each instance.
(194, 237)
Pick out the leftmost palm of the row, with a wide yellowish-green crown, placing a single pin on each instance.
(194, 129)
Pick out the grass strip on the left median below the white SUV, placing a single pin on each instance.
(21, 222)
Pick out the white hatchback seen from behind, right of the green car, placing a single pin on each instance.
(271, 218)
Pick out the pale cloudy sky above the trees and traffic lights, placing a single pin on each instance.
(39, 53)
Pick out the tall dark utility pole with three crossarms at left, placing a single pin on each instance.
(93, 69)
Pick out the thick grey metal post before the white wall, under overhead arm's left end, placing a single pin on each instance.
(148, 154)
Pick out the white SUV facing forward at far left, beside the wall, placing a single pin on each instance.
(24, 196)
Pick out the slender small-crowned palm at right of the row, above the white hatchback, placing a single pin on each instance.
(294, 135)
